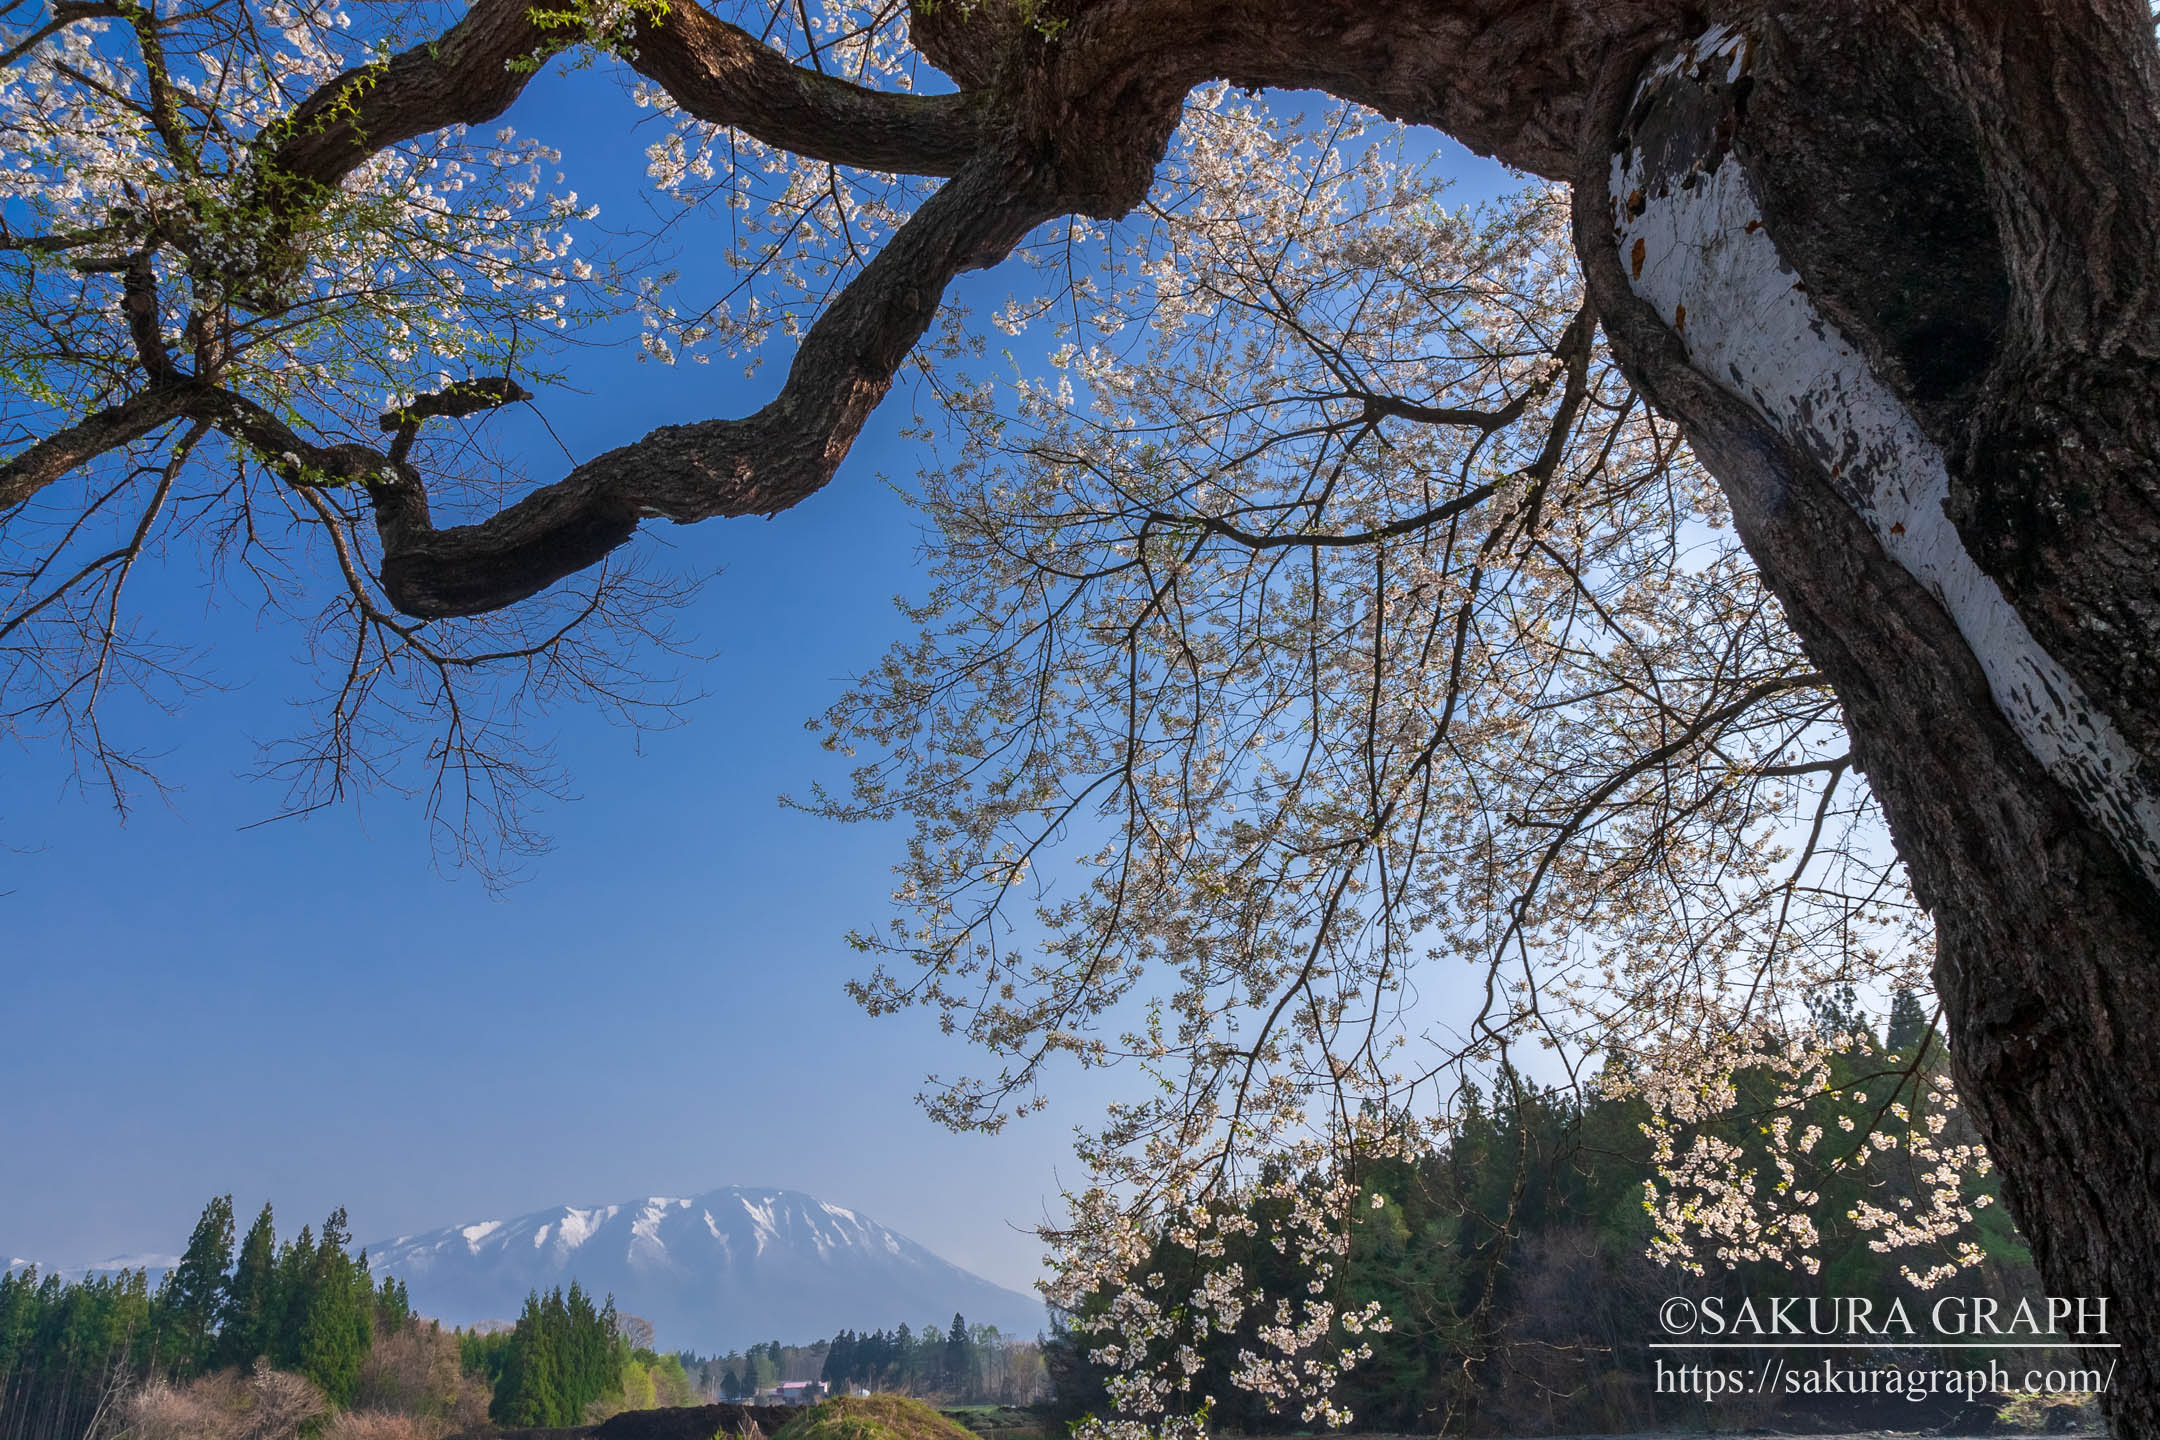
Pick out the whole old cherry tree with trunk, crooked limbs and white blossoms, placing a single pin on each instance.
(1355, 608)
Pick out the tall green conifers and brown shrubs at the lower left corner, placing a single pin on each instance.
(297, 1337)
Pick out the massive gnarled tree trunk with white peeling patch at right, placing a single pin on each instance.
(1893, 269)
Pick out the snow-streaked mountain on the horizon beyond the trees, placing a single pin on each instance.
(712, 1273)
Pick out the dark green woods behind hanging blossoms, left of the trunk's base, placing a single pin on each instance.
(1513, 1262)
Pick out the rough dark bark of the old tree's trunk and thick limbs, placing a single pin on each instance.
(1891, 264)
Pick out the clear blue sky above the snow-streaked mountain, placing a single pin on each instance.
(314, 1016)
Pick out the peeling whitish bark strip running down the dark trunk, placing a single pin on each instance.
(1701, 254)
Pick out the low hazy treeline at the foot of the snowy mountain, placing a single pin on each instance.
(958, 1363)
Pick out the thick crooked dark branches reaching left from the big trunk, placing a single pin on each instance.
(1083, 116)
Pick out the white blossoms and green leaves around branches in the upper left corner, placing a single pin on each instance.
(148, 135)
